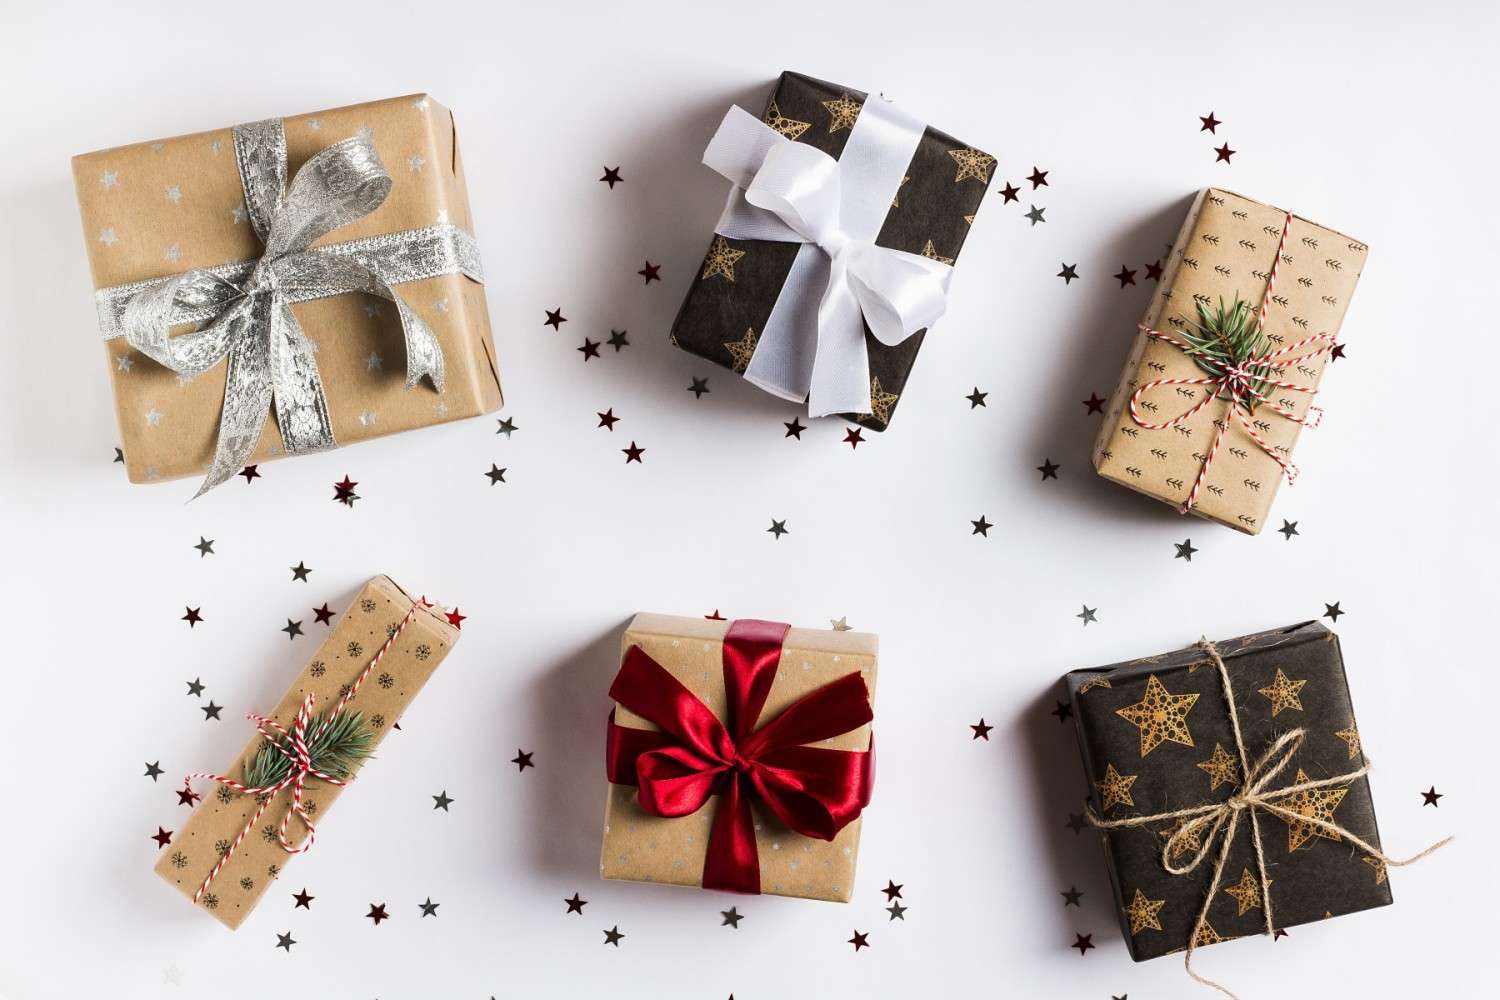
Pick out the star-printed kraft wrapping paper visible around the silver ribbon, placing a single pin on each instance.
(160, 209)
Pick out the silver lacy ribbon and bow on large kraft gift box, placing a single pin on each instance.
(245, 307)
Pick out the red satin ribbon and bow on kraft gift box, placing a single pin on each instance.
(814, 791)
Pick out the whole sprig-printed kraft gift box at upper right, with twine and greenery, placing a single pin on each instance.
(1226, 364)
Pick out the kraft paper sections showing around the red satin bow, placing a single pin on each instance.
(644, 848)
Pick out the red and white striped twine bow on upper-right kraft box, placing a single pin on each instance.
(1238, 382)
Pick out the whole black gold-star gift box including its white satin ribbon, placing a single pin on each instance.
(866, 194)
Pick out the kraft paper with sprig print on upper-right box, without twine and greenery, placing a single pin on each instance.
(1225, 250)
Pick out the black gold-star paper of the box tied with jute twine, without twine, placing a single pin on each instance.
(1157, 738)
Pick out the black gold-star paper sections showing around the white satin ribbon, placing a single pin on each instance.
(740, 281)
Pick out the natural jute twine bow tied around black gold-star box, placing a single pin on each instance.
(1223, 819)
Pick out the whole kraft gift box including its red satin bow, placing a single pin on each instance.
(740, 756)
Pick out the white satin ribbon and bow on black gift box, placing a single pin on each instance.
(814, 343)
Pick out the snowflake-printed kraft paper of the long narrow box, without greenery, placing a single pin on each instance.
(380, 701)
